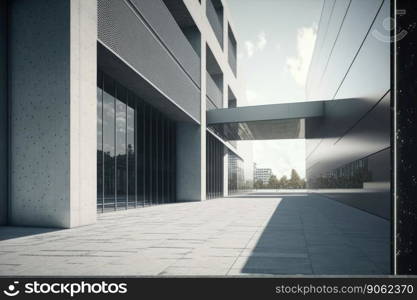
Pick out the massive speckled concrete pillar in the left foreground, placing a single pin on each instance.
(53, 112)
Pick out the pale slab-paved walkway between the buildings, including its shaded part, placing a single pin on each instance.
(257, 234)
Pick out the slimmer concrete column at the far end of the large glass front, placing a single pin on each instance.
(191, 148)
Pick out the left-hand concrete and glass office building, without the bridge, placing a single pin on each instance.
(104, 106)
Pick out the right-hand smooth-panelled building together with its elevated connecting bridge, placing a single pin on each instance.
(347, 120)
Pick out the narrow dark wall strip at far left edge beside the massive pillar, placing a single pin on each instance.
(4, 119)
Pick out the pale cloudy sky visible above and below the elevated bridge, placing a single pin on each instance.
(275, 43)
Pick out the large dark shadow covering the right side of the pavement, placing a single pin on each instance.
(310, 234)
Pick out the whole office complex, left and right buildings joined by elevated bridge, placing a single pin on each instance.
(110, 105)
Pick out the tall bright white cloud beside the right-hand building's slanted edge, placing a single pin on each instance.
(298, 66)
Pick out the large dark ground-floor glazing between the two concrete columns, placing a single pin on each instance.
(135, 150)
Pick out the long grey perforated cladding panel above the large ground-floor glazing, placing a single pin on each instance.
(122, 30)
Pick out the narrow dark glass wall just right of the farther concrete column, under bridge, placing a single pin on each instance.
(214, 167)
